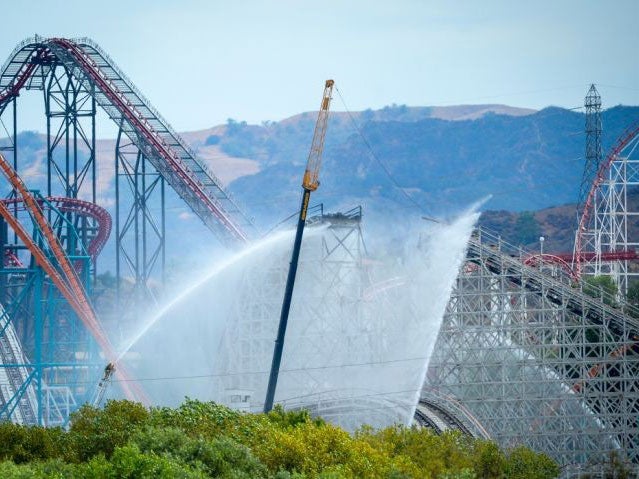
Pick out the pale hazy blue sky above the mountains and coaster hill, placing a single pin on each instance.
(201, 62)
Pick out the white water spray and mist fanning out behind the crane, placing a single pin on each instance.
(362, 326)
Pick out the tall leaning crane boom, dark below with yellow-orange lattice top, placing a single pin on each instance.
(310, 182)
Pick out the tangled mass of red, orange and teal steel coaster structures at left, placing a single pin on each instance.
(53, 347)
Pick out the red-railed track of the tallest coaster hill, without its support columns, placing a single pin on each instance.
(28, 67)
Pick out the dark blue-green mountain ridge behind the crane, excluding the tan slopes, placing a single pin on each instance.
(524, 162)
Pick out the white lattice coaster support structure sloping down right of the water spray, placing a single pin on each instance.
(537, 361)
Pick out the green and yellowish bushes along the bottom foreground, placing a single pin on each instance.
(198, 440)
